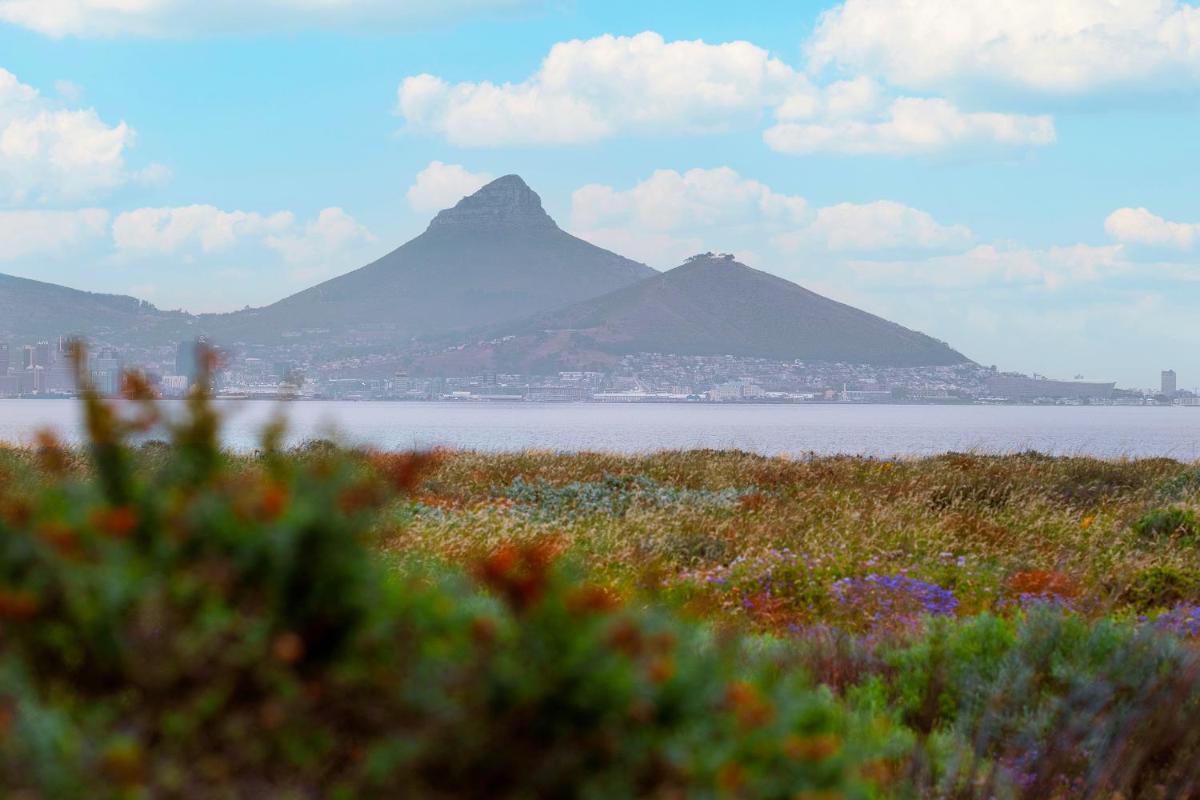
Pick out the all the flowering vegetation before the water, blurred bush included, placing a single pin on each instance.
(177, 622)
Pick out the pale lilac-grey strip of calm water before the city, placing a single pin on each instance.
(1109, 432)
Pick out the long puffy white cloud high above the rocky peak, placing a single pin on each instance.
(593, 89)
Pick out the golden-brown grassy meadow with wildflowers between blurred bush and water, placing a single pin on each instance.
(777, 543)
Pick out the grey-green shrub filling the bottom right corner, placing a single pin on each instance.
(1049, 706)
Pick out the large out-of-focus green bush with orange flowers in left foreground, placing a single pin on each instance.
(177, 623)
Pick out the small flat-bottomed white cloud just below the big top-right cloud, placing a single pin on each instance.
(903, 127)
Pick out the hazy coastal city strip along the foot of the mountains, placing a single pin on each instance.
(44, 370)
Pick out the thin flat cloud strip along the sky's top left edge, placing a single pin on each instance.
(176, 19)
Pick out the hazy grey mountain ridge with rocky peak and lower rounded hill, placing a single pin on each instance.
(497, 262)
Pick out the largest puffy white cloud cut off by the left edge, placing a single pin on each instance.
(51, 153)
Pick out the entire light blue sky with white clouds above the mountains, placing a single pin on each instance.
(1018, 183)
